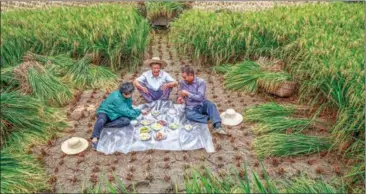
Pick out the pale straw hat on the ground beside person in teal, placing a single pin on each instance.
(74, 145)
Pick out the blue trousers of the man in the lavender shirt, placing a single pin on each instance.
(202, 114)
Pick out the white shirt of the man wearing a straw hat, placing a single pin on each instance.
(155, 83)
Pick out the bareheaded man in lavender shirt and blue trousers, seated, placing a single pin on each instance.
(193, 94)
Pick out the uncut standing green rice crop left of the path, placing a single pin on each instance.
(115, 35)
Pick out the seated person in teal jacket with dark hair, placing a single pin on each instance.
(115, 111)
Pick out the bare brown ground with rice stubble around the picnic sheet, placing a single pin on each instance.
(162, 171)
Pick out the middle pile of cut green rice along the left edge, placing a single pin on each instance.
(25, 120)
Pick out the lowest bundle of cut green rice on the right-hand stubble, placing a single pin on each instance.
(276, 144)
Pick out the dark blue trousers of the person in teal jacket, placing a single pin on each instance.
(104, 121)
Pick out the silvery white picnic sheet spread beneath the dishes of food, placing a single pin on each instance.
(127, 139)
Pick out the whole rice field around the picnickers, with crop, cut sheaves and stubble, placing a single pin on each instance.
(51, 58)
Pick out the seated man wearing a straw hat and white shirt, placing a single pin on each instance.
(155, 84)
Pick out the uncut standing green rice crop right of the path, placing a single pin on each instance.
(321, 46)
